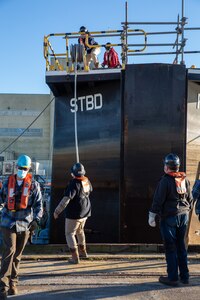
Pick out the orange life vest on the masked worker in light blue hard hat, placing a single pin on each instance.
(25, 192)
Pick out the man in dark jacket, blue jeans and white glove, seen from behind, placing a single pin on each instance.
(172, 202)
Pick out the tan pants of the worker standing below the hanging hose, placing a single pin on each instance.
(73, 229)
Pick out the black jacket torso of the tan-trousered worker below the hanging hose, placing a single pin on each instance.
(79, 205)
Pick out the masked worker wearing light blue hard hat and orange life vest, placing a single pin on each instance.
(21, 211)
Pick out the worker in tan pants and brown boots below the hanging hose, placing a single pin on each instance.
(76, 203)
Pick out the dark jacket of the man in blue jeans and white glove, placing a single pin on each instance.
(167, 201)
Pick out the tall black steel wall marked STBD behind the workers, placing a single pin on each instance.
(127, 121)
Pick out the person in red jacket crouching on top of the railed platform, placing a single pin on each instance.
(111, 59)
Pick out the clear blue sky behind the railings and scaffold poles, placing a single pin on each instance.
(24, 23)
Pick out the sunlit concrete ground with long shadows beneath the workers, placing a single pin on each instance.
(103, 277)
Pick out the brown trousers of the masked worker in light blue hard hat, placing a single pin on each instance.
(13, 246)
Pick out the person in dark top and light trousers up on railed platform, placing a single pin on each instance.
(91, 53)
